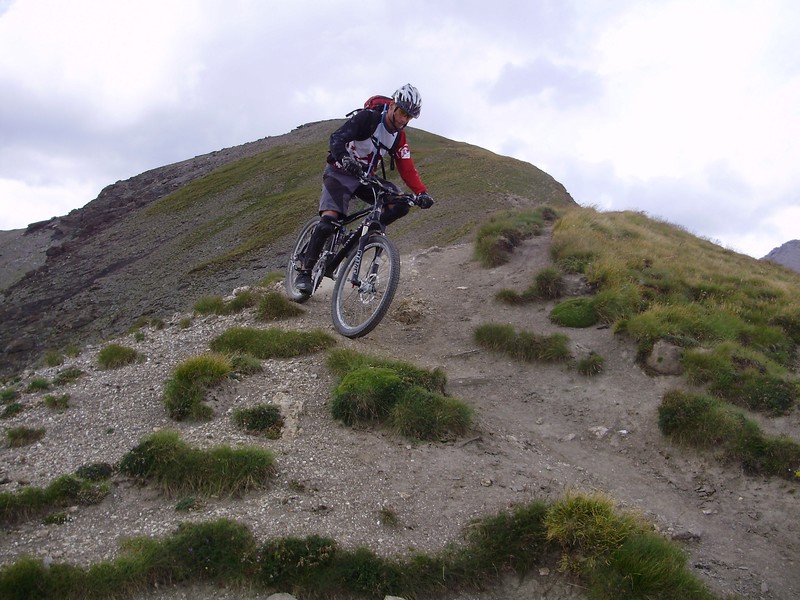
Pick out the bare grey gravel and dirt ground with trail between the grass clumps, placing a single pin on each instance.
(541, 430)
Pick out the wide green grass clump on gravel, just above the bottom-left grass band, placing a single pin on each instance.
(179, 469)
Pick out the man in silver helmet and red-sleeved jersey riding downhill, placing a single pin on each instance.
(356, 148)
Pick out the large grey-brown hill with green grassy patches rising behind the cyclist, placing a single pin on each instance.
(151, 245)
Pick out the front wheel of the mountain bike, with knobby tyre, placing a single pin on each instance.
(357, 309)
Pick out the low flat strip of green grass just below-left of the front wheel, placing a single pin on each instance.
(271, 343)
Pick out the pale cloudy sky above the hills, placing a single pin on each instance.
(688, 110)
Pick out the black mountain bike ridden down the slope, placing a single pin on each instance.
(362, 261)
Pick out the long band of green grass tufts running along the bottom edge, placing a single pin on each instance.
(225, 553)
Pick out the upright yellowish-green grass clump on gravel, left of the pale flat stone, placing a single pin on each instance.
(185, 391)
